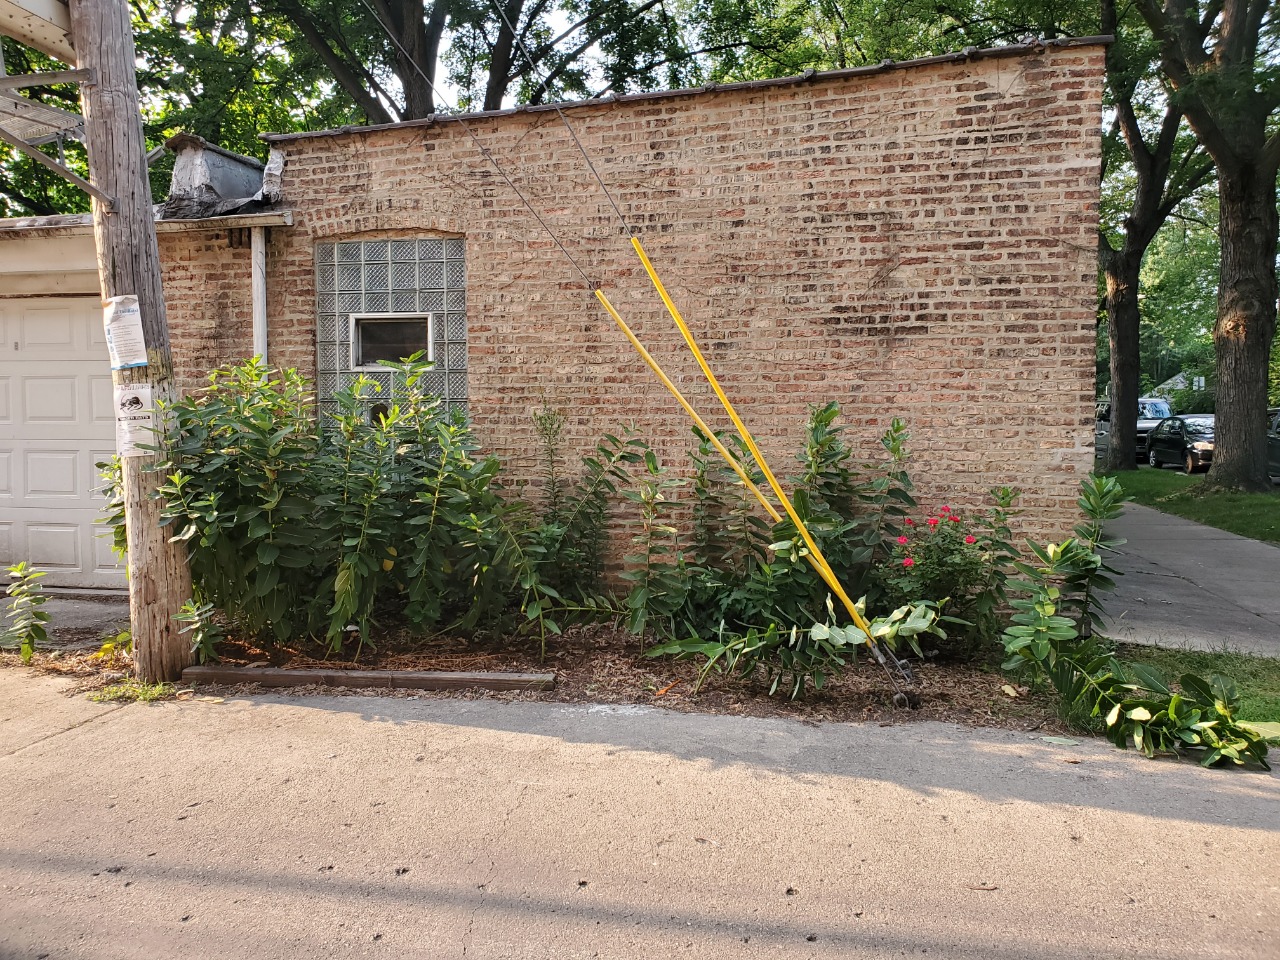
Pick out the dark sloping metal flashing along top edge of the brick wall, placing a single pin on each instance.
(1030, 47)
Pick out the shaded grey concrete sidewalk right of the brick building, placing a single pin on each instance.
(1191, 586)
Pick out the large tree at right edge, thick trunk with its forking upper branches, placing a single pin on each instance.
(1220, 58)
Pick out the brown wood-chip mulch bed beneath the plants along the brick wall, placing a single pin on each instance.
(606, 665)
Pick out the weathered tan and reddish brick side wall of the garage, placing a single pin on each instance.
(915, 241)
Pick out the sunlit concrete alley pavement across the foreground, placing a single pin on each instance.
(368, 828)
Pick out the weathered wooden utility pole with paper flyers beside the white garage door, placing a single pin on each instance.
(129, 263)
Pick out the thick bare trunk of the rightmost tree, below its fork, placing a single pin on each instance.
(1246, 327)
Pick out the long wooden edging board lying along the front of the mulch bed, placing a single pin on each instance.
(395, 679)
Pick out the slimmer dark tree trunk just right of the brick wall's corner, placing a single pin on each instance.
(1121, 271)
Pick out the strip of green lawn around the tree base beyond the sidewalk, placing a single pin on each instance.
(1254, 515)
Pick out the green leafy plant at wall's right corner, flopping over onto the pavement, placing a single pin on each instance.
(1135, 703)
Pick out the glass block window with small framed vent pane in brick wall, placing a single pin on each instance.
(377, 299)
